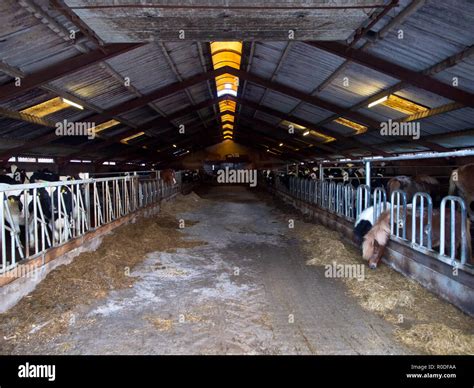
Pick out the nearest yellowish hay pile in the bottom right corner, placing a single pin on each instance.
(437, 338)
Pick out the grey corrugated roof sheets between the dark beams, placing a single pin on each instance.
(434, 33)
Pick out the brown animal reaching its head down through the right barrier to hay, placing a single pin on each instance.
(377, 238)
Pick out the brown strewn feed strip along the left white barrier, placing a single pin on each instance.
(50, 309)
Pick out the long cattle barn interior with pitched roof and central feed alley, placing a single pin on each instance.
(116, 95)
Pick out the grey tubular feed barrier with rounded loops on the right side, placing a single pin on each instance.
(345, 201)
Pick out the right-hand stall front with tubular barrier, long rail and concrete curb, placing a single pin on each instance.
(346, 201)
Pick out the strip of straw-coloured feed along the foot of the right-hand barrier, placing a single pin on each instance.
(423, 321)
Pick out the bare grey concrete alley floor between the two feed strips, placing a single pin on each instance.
(248, 291)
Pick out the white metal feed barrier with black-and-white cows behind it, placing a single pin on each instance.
(38, 216)
